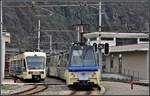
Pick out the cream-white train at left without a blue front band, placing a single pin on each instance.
(29, 66)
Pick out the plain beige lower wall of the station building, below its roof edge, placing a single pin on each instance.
(132, 62)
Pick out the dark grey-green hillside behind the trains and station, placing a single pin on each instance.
(120, 17)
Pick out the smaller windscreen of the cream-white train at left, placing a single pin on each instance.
(34, 62)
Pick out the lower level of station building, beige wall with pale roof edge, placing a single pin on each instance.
(130, 60)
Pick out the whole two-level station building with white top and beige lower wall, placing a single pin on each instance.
(129, 53)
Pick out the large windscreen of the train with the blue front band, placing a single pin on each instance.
(83, 57)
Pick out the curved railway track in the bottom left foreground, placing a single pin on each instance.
(34, 90)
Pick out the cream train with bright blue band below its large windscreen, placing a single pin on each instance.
(79, 67)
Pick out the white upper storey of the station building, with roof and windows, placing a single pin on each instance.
(116, 39)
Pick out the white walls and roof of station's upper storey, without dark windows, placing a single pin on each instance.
(114, 36)
